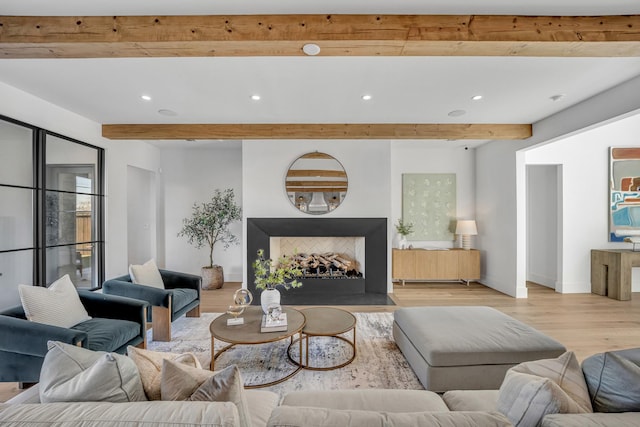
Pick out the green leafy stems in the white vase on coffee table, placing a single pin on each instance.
(285, 272)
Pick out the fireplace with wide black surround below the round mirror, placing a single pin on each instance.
(368, 236)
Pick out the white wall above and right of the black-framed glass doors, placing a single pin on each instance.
(22, 106)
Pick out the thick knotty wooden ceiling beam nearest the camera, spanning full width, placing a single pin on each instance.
(337, 35)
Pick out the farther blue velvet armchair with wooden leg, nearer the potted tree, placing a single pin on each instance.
(180, 296)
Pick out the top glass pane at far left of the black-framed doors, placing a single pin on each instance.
(16, 161)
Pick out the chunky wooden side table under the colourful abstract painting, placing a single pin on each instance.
(611, 272)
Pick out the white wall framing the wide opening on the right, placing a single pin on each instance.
(501, 187)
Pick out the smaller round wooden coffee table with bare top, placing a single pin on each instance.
(326, 322)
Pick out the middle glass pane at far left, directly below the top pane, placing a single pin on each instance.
(16, 218)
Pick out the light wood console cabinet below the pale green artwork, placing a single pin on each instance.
(423, 265)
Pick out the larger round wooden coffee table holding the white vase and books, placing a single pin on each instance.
(249, 334)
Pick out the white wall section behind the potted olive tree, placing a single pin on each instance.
(190, 175)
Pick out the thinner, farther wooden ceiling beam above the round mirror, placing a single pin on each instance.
(320, 131)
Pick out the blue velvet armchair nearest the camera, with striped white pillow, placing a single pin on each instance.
(116, 323)
